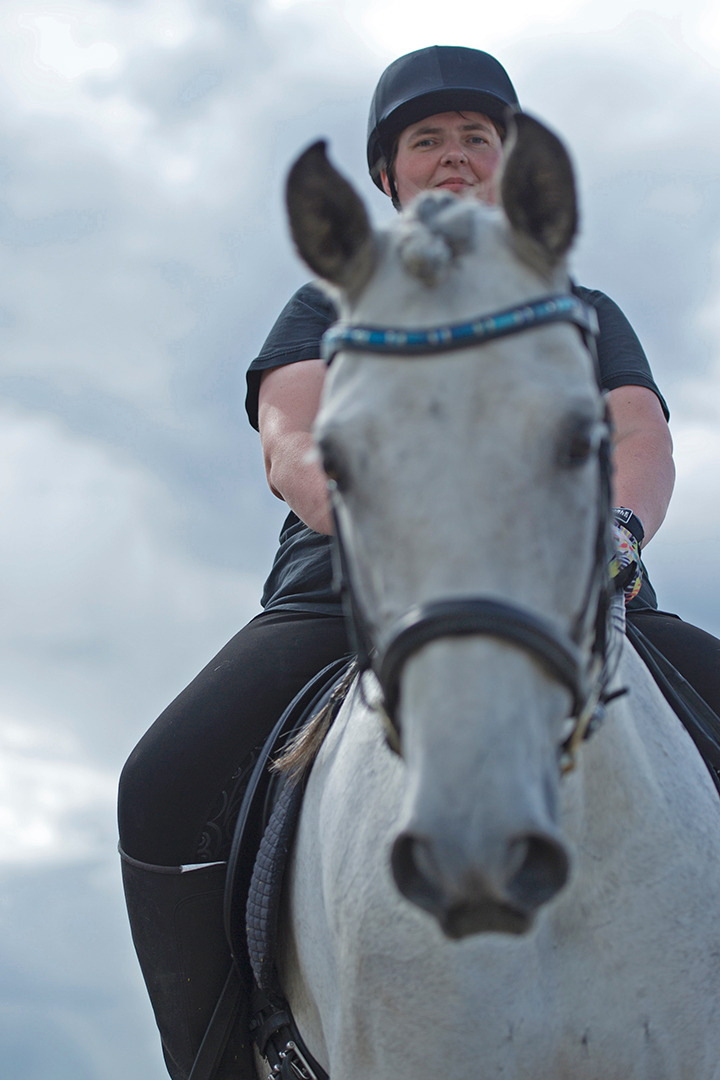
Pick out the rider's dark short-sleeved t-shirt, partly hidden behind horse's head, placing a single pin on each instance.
(302, 577)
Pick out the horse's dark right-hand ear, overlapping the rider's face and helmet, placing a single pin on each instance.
(538, 187)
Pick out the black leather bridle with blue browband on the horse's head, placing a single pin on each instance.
(583, 671)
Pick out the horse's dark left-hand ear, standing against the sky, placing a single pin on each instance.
(329, 222)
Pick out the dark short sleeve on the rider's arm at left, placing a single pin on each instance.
(296, 336)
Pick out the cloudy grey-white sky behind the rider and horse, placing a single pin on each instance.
(143, 152)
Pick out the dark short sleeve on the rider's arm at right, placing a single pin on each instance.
(621, 357)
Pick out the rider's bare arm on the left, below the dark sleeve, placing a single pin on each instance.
(288, 404)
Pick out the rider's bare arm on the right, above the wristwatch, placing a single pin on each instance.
(644, 472)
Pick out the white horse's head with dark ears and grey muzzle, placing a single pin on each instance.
(466, 481)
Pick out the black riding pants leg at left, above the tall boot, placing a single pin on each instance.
(173, 778)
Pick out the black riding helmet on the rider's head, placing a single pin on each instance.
(440, 79)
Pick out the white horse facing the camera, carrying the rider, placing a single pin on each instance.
(466, 910)
